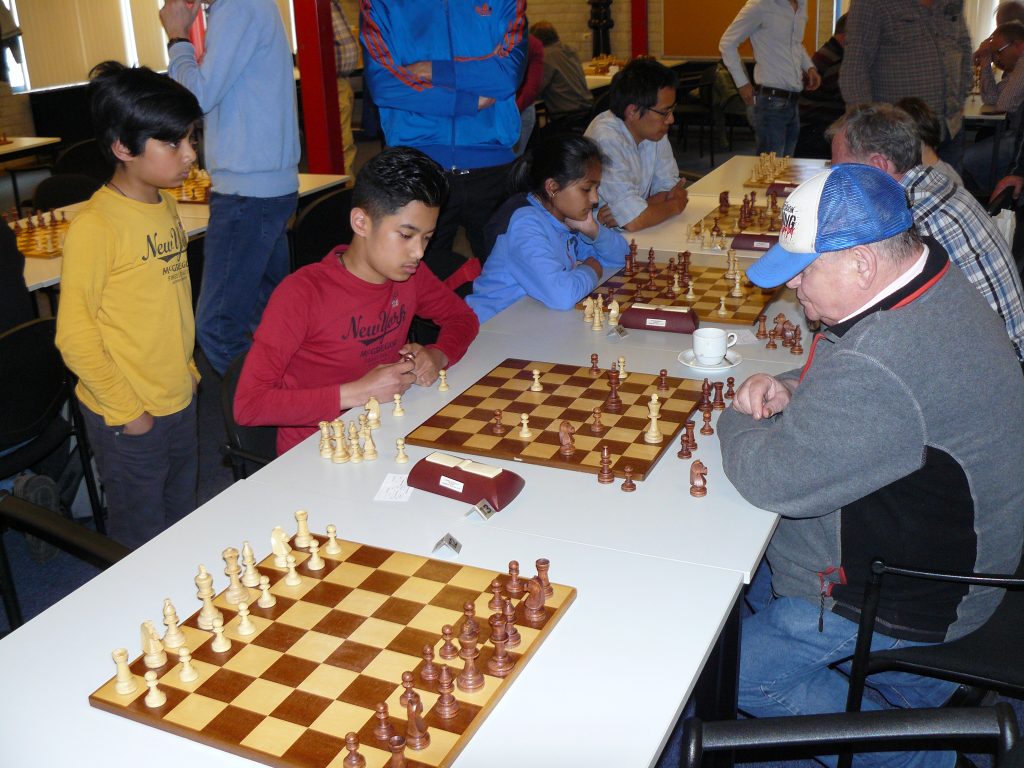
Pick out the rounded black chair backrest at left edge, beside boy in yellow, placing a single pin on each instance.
(33, 381)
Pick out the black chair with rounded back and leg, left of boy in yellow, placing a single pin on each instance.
(35, 387)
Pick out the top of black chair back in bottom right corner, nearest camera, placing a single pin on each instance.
(991, 730)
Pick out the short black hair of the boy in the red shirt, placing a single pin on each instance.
(395, 179)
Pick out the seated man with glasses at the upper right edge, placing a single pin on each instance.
(1002, 51)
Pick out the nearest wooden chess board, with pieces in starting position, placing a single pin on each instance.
(327, 654)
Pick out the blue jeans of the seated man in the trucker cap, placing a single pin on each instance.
(785, 670)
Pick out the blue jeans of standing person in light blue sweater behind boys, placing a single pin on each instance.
(246, 254)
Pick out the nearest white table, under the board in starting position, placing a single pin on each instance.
(605, 689)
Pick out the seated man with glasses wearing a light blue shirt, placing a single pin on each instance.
(641, 185)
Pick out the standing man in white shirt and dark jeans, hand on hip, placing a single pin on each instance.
(776, 29)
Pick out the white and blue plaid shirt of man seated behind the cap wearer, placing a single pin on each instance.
(956, 220)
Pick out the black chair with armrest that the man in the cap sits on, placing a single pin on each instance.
(987, 659)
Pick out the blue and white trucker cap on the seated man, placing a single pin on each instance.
(845, 206)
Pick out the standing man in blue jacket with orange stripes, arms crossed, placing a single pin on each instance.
(444, 74)
